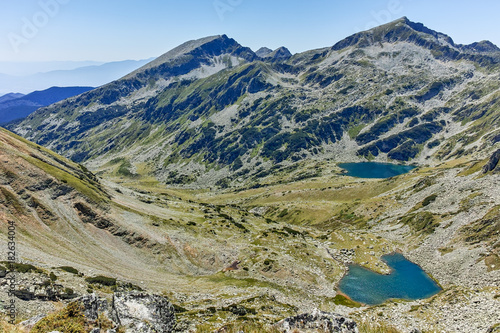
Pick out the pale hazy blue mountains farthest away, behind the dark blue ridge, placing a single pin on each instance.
(94, 76)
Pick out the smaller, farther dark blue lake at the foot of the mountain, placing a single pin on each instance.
(375, 169)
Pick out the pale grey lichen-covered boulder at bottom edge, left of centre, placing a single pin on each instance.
(143, 313)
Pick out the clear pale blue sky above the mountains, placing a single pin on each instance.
(110, 30)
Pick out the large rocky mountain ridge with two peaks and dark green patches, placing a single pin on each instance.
(212, 110)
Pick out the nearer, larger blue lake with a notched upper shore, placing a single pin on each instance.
(406, 281)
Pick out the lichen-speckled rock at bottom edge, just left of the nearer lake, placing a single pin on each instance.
(318, 320)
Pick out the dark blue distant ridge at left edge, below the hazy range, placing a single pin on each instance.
(17, 106)
